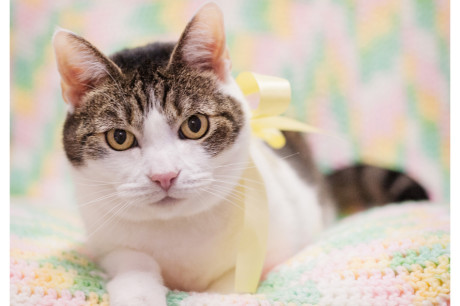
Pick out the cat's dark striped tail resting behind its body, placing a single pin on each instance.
(363, 186)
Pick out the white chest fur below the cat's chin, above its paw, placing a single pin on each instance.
(191, 252)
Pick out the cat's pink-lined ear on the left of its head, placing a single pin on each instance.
(82, 67)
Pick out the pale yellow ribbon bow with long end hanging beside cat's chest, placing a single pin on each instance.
(266, 123)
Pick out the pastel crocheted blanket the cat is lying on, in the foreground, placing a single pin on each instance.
(393, 255)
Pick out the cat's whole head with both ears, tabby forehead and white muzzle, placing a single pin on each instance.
(160, 131)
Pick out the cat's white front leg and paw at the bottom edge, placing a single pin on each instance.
(135, 279)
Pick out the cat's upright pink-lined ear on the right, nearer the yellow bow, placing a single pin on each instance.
(202, 44)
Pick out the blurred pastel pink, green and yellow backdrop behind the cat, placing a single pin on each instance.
(376, 73)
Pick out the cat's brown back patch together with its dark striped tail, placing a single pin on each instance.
(351, 189)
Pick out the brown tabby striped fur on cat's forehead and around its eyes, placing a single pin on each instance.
(123, 99)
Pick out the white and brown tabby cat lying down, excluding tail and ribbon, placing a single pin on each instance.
(158, 138)
